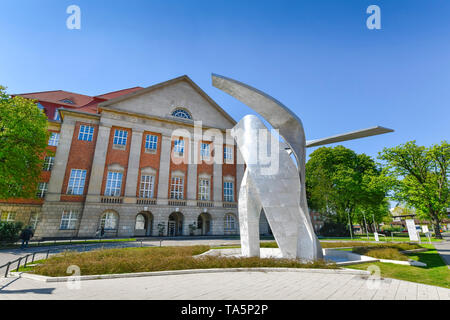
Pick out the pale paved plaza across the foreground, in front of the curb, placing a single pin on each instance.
(227, 285)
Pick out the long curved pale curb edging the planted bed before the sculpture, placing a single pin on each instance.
(181, 272)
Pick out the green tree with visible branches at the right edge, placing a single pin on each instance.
(422, 178)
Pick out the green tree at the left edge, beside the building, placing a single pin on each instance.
(23, 142)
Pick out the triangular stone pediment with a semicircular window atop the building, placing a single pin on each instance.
(163, 99)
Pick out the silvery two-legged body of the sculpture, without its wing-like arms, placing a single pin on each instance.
(278, 194)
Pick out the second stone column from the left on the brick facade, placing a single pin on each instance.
(98, 164)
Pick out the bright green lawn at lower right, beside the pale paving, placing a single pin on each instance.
(435, 273)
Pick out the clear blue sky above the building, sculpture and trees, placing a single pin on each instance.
(317, 57)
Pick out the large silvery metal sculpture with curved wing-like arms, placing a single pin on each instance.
(282, 196)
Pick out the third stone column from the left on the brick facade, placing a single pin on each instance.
(133, 167)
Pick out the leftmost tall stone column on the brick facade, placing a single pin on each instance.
(61, 158)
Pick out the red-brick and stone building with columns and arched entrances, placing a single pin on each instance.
(135, 162)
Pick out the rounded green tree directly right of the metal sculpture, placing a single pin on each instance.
(345, 186)
